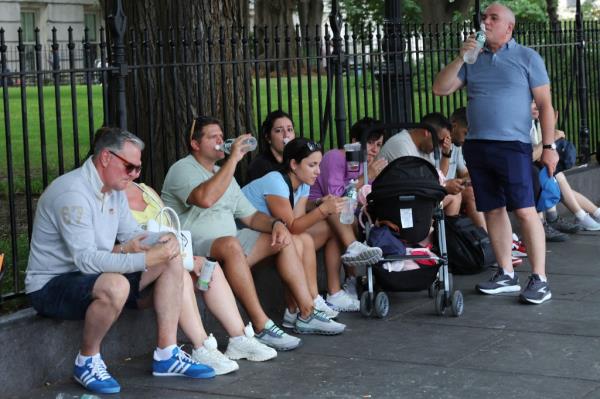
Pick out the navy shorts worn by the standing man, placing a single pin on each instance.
(501, 173)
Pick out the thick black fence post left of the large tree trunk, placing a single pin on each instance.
(118, 24)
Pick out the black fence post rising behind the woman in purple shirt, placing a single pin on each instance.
(335, 19)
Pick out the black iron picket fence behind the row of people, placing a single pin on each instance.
(154, 82)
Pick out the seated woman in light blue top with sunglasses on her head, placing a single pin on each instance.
(284, 194)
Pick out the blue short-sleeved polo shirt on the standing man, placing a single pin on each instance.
(499, 92)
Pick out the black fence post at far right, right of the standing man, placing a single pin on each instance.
(584, 131)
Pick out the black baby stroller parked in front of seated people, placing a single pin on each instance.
(408, 194)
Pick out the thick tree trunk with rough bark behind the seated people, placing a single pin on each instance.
(163, 95)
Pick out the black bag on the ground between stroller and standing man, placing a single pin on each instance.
(469, 247)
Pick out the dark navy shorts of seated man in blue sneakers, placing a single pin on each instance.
(68, 296)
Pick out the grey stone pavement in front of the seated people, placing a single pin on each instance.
(498, 348)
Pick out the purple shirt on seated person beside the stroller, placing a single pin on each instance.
(334, 175)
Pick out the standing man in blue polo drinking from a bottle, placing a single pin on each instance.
(500, 86)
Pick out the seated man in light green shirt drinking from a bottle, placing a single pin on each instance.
(209, 200)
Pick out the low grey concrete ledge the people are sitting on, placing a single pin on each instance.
(41, 351)
